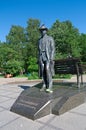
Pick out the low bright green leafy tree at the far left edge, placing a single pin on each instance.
(9, 62)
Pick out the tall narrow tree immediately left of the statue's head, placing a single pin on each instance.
(32, 35)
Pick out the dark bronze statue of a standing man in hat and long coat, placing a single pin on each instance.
(46, 49)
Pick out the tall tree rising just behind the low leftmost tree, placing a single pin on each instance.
(16, 39)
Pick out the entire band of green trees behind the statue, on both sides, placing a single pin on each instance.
(19, 52)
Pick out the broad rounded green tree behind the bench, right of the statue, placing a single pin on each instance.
(66, 38)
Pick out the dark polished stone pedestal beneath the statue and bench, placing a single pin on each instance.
(34, 104)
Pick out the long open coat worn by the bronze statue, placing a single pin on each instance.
(49, 51)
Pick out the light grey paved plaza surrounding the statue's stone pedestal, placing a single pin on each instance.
(10, 89)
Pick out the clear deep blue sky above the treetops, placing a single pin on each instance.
(17, 12)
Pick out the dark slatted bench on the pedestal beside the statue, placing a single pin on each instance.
(70, 66)
